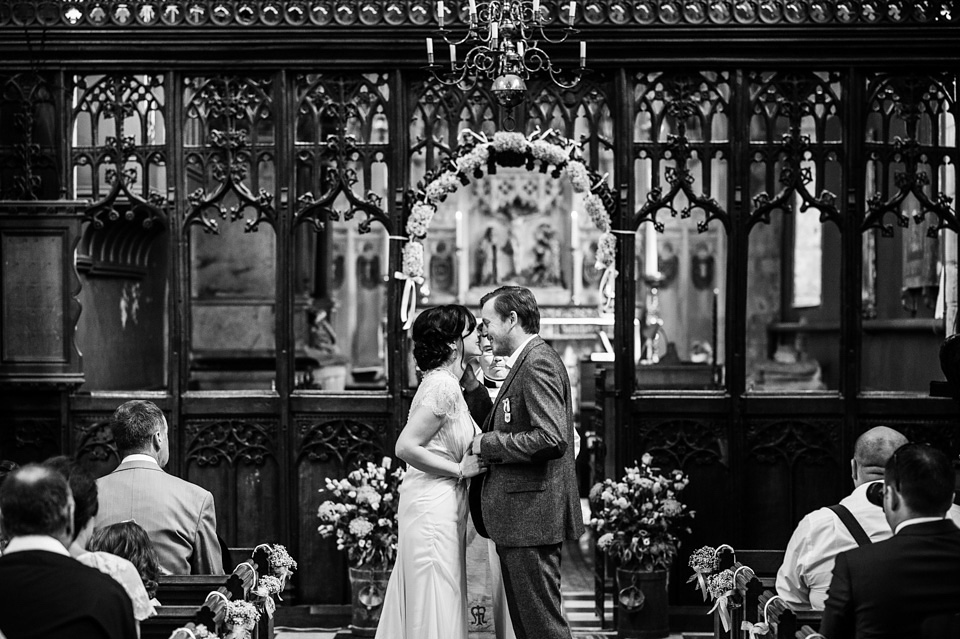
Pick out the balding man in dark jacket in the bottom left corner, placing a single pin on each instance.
(54, 595)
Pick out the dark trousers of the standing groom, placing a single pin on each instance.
(531, 578)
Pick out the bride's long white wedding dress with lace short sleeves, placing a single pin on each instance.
(426, 596)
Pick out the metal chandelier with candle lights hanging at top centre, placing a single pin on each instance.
(503, 37)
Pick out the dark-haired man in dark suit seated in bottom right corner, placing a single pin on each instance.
(887, 589)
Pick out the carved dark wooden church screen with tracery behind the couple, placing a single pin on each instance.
(203, 202)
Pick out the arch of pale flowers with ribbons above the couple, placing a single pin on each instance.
(477, 154)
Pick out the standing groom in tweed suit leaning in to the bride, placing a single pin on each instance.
(529, 501)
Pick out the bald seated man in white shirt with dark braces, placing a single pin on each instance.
(807, 567)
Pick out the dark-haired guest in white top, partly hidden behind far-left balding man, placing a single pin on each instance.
(83, 487)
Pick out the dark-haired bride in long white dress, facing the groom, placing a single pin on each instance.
(426, 596)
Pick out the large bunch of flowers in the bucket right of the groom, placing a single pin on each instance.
(639, 520)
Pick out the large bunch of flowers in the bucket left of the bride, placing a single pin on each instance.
(361, 513)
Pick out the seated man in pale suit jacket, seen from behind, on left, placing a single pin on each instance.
(179, 517)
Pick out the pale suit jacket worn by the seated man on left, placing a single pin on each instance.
(179, 517)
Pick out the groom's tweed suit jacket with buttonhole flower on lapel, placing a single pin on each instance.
(530, 490)
